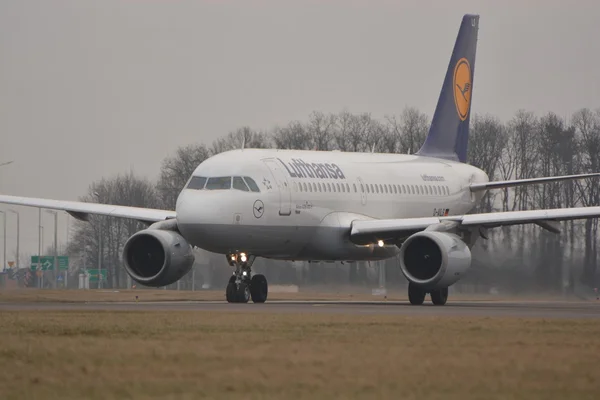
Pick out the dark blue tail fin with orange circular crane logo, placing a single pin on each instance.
(449, 132)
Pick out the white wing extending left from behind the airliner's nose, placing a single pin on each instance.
(81, 210)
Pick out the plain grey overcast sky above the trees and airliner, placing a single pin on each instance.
(93, 88)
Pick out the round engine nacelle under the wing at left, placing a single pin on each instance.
(155, 257)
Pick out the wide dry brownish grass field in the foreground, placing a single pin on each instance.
(191, 355)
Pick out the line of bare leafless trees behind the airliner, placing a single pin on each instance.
(526, 146)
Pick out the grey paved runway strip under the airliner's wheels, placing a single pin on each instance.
(589, 309)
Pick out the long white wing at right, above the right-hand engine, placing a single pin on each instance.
(369, 231)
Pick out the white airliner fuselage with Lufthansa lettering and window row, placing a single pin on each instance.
(308, 200)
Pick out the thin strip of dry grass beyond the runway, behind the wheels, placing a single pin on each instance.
(344, 294)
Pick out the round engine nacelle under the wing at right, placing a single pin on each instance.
(434, 260)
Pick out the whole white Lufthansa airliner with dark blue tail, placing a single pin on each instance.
(332, 206)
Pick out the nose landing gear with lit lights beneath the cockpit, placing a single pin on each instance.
(242, 285)
